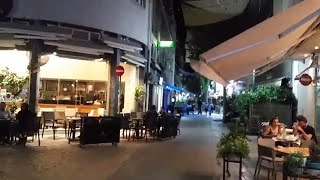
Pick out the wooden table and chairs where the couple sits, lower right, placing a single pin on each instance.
(273, 150)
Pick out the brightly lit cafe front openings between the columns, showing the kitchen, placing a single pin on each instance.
(66, 82)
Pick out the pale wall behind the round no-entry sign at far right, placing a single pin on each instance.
(304, 94)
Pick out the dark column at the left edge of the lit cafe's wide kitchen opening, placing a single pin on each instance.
(34, 68)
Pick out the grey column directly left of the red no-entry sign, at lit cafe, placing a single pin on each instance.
(114, 86)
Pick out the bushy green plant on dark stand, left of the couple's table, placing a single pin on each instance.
(233, 145)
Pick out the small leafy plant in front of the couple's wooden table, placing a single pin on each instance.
(293, 163)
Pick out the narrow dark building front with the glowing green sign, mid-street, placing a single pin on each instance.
(162, 59)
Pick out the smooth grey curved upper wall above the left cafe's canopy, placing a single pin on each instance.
(120, 16)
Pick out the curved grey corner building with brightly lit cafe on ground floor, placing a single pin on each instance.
(70, 50)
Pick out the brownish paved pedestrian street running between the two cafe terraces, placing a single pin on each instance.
(191, 156)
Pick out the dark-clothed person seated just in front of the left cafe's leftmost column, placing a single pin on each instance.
(27, 122)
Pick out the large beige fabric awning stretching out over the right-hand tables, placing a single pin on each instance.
(261, 45)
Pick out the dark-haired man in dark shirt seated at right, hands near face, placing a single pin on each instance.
(306, 132)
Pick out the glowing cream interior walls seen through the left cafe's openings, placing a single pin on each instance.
(64, 68)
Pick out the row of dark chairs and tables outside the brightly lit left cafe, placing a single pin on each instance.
(87, 129)
